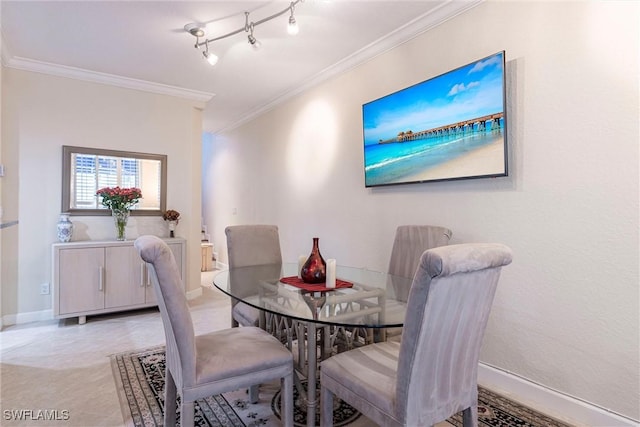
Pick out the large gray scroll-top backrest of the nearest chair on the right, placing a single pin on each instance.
(447, 313)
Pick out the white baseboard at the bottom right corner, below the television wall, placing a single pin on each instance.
(557, 405)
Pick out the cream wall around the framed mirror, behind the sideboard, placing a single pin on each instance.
(41, 114)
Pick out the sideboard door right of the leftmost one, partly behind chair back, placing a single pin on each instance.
(124, 281)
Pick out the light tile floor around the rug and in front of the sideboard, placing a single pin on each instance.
(64, 368)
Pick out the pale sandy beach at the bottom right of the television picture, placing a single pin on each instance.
(485, 160)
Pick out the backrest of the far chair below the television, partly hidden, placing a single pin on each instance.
(409, 244)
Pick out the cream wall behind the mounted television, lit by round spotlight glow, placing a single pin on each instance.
(566, 314)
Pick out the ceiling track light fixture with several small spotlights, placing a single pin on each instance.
(197, 31)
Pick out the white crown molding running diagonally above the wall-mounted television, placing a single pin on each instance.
(411, 30)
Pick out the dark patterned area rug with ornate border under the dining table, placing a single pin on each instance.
(139, 377)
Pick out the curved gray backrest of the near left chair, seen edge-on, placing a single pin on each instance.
(176, 319)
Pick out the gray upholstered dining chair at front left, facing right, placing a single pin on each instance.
(212, 363)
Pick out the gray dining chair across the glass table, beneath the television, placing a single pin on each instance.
(408, 245)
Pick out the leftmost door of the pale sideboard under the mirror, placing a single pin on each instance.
(81, 287)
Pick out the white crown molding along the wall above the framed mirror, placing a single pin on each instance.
(104, 78)
